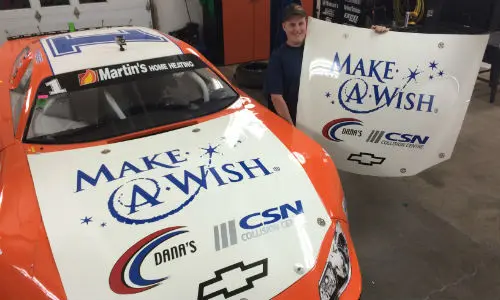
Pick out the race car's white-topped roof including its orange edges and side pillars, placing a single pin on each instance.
(52, 53)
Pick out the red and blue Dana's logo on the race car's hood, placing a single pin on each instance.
(130, 273)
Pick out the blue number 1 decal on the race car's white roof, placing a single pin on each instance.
(67, 44)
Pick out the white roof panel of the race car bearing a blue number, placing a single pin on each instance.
(71, 51)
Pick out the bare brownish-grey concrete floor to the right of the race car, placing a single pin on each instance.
(435, 235)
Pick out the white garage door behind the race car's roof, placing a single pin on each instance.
(20, 17)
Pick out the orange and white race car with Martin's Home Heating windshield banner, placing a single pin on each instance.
(131, 168)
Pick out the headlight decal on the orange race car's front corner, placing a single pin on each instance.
(337, 271)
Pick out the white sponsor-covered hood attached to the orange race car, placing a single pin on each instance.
(209, 211)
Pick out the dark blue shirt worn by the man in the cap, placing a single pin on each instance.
(283, 76)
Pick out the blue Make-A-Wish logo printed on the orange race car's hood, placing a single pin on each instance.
(184, 177)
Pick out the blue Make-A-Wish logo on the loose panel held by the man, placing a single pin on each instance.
(376, 84)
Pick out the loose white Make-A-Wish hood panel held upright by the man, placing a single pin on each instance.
(387, 104)
